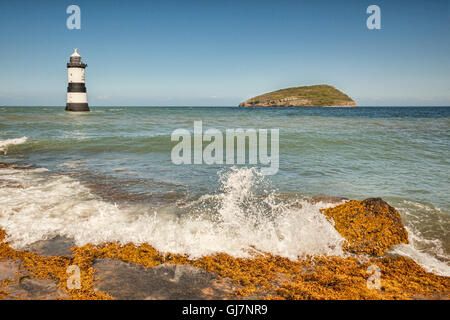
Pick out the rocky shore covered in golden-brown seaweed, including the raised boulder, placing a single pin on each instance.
(146, 273)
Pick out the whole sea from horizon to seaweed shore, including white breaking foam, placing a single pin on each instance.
(108, 175)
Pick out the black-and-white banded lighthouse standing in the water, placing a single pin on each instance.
(76, 91)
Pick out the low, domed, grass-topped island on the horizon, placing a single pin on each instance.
(307, 96)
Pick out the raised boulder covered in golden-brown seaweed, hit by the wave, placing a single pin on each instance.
(371, 226)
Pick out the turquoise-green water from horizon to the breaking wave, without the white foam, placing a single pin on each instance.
(123, 156)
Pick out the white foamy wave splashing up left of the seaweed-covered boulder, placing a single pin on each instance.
(234, 222)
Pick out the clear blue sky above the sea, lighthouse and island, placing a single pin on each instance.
(221, 52)
